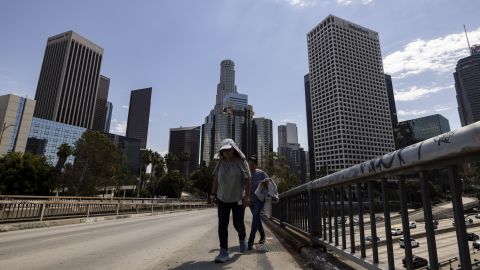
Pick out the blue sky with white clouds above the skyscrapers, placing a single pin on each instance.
(176, 46)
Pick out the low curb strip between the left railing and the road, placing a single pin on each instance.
(71, 221)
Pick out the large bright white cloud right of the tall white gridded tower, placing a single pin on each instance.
(438, 55)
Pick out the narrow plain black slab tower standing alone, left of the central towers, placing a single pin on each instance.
(139, 115)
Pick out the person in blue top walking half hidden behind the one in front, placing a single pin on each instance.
(256, 205)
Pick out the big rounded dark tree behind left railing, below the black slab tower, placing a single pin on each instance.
(98, 163)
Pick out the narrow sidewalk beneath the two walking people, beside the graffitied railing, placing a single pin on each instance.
(271, 255)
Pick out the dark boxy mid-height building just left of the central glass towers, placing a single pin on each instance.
(185, 141)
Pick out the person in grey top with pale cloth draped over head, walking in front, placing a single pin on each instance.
(231, 192)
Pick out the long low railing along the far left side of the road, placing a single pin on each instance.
(38, 208)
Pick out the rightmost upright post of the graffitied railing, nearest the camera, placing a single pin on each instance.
(456, 191)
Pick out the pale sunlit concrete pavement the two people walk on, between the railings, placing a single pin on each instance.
(185, 240)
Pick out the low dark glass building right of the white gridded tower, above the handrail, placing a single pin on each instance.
(419, 129)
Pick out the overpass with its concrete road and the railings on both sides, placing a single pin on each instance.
(336, 212)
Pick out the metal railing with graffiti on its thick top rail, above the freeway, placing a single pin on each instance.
(324, 209)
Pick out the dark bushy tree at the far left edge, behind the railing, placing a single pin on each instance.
(25, 174)
